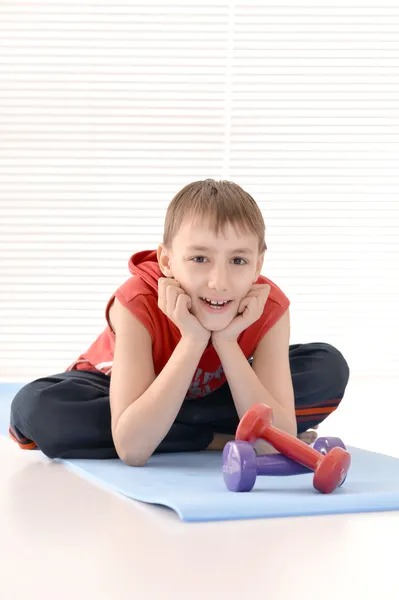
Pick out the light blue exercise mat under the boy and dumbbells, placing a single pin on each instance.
(192, 484)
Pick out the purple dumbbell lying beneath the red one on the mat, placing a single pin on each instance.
(241, 465)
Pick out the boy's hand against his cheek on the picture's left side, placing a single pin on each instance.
(176, 304)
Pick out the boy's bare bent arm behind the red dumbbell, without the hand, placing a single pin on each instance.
(268, 380)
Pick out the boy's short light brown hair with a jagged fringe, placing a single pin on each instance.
(223, 201)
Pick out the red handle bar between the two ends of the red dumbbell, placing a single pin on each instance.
(292, 447)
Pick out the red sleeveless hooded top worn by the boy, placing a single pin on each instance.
(139, 294)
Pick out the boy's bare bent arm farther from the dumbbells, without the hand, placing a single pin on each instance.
(144, 407)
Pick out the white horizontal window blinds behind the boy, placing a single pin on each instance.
(107, 110)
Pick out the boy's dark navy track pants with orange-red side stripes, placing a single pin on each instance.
(68, 415)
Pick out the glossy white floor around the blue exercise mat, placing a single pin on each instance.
(65, 538)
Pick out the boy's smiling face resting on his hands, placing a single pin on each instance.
(218, 272)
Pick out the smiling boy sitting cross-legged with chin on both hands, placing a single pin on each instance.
(193, 339)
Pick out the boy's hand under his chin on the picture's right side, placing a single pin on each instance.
(250, 309)
